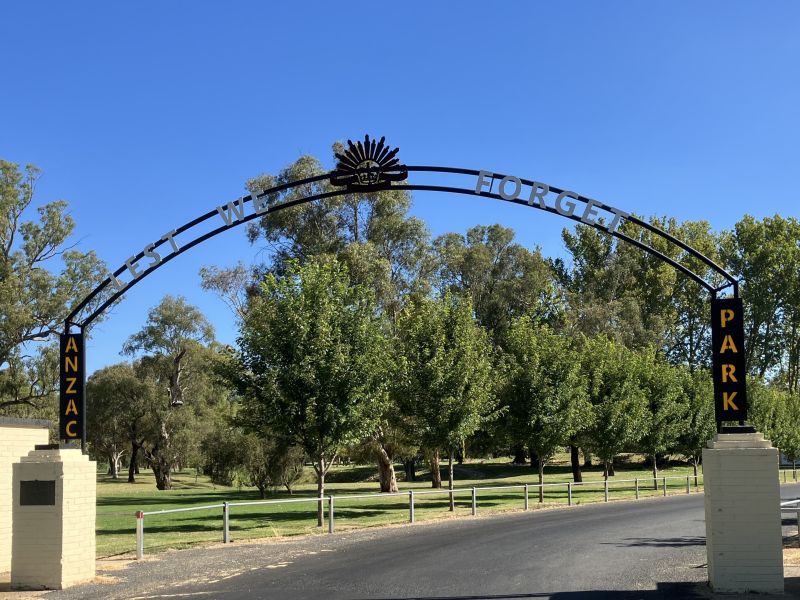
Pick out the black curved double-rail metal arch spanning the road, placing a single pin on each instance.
(70, 320)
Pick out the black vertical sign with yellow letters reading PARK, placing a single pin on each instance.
(727, 340)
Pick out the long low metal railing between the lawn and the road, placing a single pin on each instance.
(331, 500)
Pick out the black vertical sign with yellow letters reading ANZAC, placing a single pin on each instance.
(72, 411)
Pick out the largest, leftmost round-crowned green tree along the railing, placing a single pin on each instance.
(312, 361)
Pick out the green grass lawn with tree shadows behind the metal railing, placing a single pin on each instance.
(117, 501)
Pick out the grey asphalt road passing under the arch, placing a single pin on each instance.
(649, 549)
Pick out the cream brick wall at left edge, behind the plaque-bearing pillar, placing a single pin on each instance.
(17, 438)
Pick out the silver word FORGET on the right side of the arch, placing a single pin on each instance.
(511, 188)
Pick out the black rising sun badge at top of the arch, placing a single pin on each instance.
(368, 165)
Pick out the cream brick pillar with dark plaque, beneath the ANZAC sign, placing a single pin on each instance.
(53, 544)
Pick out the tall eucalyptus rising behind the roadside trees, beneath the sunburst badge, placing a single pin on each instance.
(372, 233)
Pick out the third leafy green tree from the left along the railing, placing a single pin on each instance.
(544, 390)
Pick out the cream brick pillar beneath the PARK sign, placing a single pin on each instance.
(743, 517)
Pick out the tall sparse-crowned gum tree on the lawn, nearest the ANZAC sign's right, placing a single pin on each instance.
(174, 329)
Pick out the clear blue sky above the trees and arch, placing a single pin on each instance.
(144, 115)
